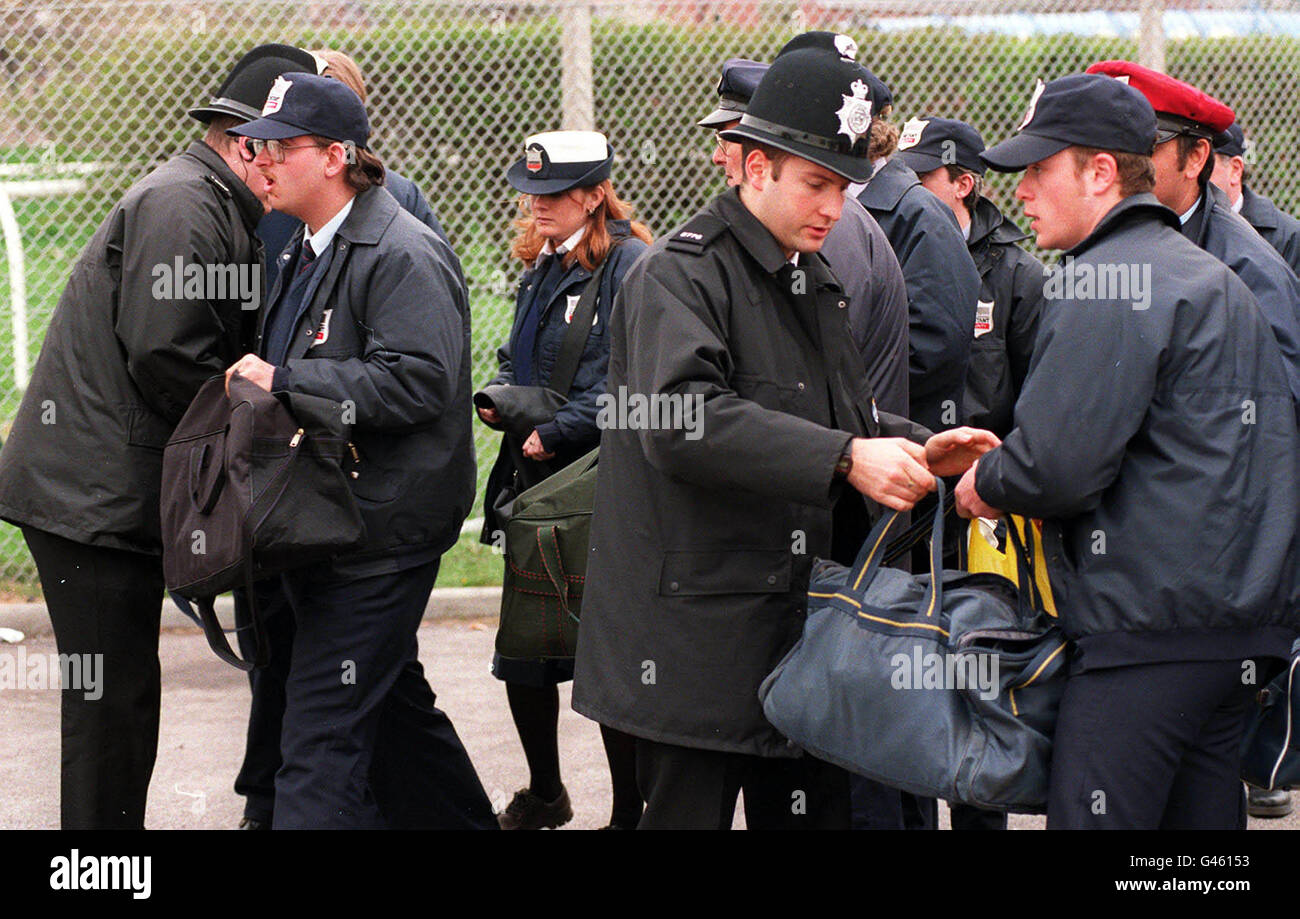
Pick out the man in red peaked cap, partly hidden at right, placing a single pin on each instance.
(1188, 122)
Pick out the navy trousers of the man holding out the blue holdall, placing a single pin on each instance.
(1151, 747)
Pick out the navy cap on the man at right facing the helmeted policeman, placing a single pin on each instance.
(1078, 111)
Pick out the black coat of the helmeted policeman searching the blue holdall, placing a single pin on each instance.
(704, 534)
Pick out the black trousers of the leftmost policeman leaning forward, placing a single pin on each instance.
(105, 601)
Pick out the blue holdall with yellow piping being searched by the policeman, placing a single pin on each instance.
(944, 684)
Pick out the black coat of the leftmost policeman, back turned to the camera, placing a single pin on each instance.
(128, 348)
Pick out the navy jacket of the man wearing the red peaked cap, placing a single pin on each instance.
(1230, 240)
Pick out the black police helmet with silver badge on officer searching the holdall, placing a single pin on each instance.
(816, 105)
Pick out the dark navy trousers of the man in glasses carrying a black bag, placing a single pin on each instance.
(362, 743)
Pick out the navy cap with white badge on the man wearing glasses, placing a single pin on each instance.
(304, 103)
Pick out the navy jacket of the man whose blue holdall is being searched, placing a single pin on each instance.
(1160, 445)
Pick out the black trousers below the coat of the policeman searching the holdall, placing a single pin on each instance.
(686, 788)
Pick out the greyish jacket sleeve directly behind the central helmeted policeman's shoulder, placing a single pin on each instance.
(864, 262)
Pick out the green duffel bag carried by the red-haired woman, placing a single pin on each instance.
(548, 539)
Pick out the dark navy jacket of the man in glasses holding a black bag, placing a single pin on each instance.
(387, 335)
